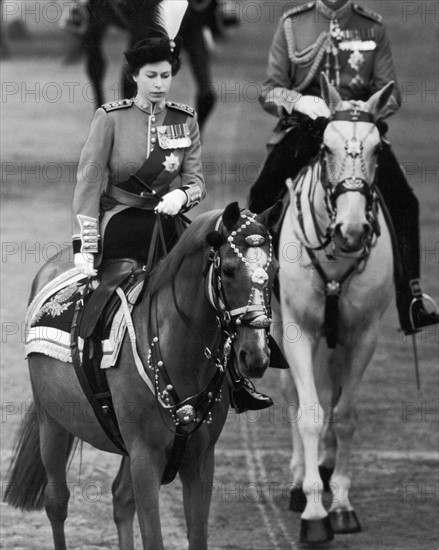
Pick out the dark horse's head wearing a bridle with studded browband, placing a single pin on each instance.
(243, 272)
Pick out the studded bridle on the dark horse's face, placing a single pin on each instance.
(256, 316)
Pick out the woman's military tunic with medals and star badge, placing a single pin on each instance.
(125, 138)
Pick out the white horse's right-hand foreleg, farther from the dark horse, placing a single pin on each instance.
(342, 515)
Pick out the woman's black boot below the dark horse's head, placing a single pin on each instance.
(243, 394)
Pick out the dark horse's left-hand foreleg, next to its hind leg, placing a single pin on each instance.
(146, 472)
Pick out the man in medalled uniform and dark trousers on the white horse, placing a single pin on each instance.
(349, 44)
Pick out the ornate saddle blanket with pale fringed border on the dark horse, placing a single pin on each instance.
(49, 317)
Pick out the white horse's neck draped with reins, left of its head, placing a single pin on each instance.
(309, 214)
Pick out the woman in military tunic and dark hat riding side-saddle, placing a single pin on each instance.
(148, 139)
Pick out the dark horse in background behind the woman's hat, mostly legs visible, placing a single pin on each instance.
(132, 15)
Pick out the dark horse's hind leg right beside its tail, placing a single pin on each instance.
(55, 443)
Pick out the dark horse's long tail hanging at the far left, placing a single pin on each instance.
(27, 477)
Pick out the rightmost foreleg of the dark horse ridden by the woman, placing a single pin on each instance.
(197, 482)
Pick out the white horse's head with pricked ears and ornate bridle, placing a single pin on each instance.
(351, 143)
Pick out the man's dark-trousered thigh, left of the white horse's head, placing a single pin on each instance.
(285, 159)
